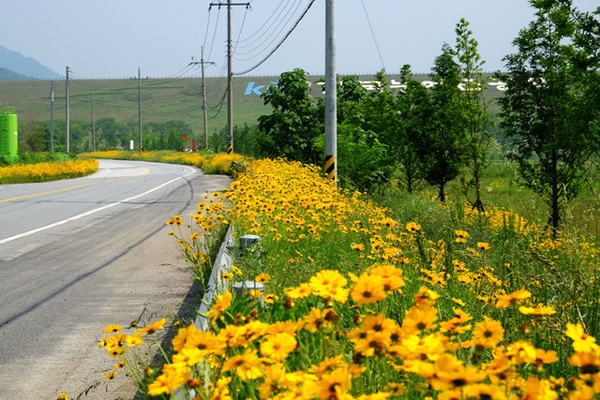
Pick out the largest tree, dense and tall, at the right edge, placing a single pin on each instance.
(551, 103)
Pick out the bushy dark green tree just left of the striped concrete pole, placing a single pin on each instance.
(294, 125)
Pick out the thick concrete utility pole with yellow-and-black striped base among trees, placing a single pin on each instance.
(330, 93)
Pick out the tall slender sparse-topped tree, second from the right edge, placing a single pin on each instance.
(478, 136)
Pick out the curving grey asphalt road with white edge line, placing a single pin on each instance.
(77, 255)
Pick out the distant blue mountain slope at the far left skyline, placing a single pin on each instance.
(15, 66)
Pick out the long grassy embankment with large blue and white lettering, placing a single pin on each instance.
(162, 99)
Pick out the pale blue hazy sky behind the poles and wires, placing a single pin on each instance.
(112, 38)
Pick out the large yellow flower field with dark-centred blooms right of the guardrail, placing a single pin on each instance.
(361, 303)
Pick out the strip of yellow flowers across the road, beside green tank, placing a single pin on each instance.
(47, 171)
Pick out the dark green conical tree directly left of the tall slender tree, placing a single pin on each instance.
(440, 146)
